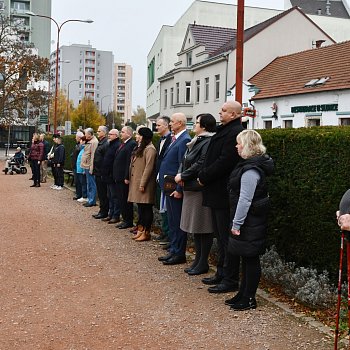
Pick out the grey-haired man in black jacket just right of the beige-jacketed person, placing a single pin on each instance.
(101, 186)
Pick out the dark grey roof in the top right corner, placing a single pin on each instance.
(311, 7)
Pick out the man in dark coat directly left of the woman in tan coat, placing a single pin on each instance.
(121, 173)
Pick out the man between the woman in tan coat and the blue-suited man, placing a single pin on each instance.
(162, 127)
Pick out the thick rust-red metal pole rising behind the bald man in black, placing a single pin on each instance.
(239, 51)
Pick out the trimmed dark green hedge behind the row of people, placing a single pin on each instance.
(312, 173)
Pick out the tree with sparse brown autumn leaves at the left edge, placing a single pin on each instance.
(21, 71)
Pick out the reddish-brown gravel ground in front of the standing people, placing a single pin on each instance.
(69, 281)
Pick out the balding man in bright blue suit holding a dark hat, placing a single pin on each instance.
(169, 166)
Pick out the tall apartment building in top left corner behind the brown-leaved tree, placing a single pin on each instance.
(36, 30)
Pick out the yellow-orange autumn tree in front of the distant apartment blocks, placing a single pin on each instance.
(86, 115)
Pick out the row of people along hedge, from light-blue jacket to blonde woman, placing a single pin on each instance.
(220, 190)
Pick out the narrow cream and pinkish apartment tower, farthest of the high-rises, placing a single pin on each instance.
(122, 102)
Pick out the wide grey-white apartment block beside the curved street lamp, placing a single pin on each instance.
(84, 71)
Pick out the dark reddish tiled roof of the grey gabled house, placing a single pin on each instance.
(211, 37)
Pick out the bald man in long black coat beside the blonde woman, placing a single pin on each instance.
(220, 160)
